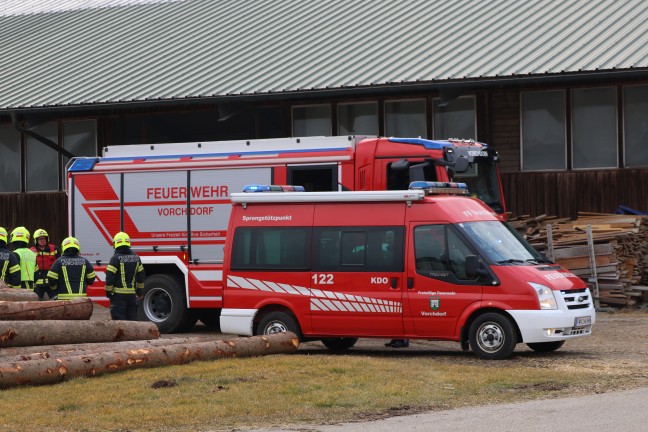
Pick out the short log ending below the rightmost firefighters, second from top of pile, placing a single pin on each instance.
(75, 309)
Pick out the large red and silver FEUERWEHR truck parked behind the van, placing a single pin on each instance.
(174, 201)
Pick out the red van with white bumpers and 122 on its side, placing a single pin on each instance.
(418, 264)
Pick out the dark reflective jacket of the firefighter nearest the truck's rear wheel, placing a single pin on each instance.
(125, 273)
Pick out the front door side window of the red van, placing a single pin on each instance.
(437, 248)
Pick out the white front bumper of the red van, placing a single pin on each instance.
(538, 326)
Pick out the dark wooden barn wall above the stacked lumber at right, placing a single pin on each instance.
(564, 194)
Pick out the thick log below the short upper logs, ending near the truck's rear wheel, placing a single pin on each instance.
(51, 332)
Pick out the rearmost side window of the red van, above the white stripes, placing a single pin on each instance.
(271, 248)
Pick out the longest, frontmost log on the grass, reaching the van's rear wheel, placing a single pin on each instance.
(51, 371)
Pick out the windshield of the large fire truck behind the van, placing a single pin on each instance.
(481, 179)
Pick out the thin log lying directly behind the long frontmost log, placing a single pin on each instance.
(16, 354)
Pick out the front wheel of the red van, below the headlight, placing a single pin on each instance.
(492, 337)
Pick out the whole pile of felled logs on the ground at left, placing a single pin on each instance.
(46, 342)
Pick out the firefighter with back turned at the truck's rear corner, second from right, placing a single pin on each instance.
(70, 274)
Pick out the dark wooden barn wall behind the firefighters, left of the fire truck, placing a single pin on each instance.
(47, 210)
